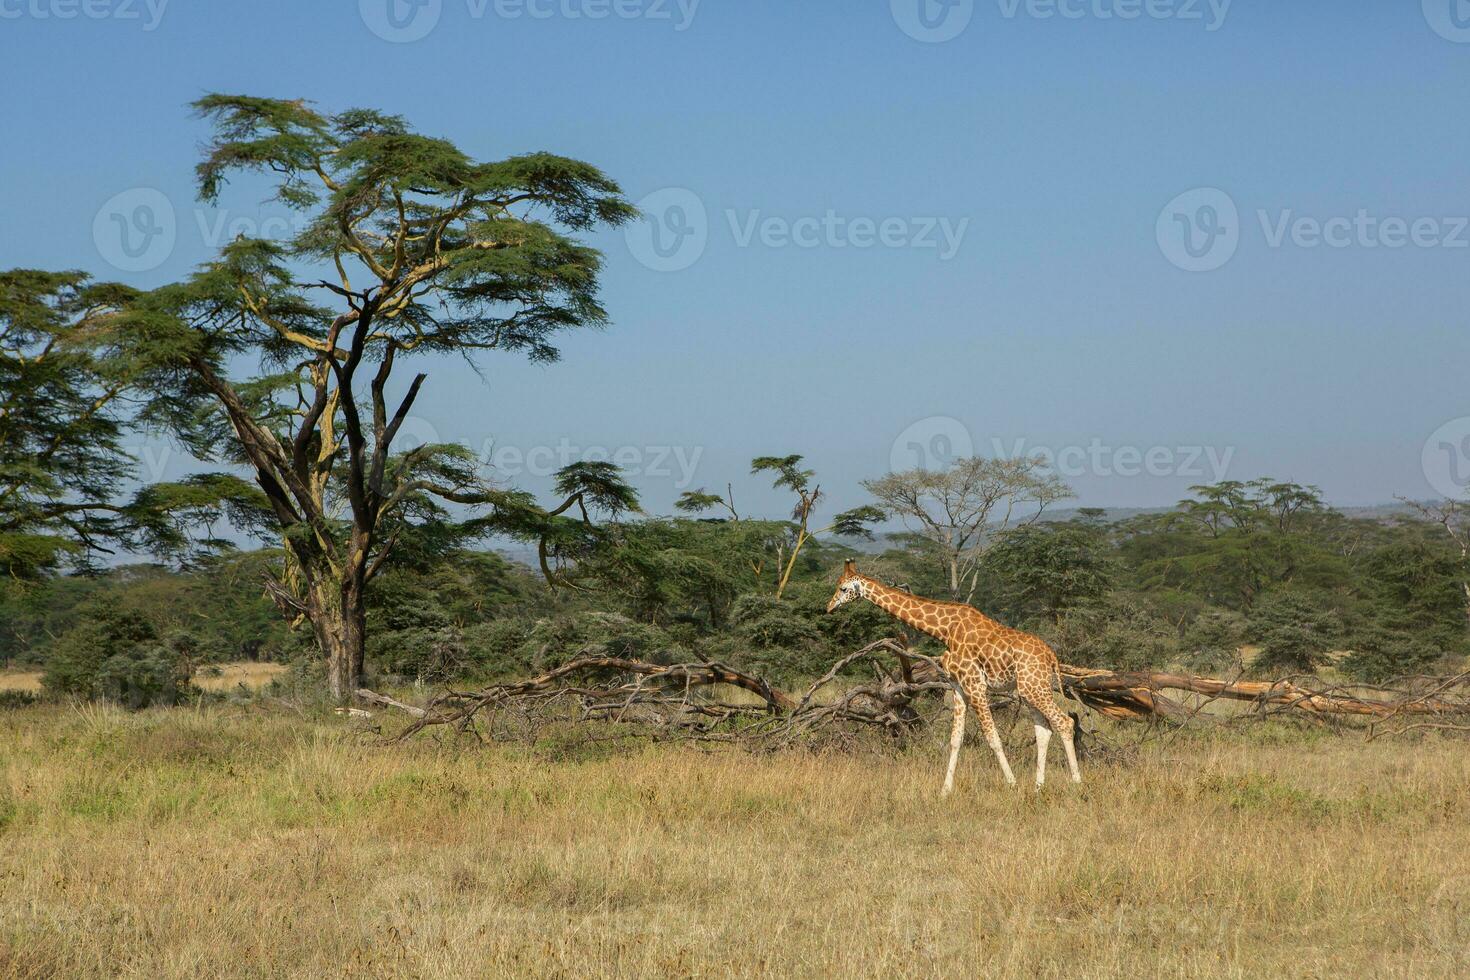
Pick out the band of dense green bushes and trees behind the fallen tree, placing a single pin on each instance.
(1302, 587)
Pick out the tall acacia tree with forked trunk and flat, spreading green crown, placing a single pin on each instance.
(286, 356)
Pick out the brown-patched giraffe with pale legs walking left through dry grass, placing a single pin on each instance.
(980, 655)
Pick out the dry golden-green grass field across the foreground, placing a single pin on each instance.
(251, 841)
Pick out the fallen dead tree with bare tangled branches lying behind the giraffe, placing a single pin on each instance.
(699, 700)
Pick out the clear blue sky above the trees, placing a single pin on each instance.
(909, 248)
